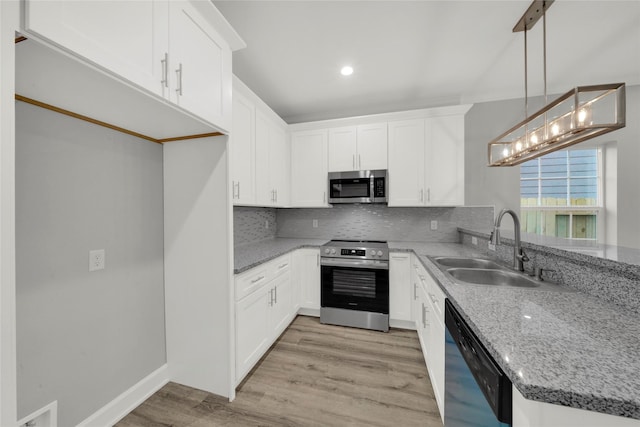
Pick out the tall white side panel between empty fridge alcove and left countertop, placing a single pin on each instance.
(198, 265)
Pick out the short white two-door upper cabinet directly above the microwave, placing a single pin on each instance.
(362, 147)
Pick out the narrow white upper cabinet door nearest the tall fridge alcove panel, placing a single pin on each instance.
(241, 149)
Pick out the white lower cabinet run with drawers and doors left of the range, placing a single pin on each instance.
(264, 308)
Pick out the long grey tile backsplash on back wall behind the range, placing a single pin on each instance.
(379, 222)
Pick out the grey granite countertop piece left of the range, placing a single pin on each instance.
(252, 254)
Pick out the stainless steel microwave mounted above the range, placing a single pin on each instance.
(358, 187)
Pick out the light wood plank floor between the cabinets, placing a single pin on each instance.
(314, 375)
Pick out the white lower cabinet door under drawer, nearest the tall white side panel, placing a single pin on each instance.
(253, 332)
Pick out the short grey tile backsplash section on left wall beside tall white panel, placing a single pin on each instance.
(249, 224)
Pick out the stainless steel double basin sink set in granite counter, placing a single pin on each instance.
(480, 271)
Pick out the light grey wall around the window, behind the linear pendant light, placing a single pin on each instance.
(501, 186)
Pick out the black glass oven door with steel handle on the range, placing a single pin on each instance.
(361, 285)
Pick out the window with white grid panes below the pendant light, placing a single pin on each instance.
(561, 194)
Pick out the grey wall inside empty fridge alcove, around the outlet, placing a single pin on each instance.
(85, 337)
